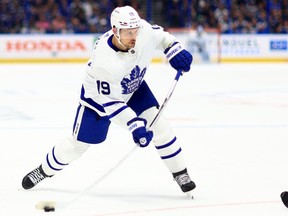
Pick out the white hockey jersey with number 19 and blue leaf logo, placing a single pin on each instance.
(113, 75)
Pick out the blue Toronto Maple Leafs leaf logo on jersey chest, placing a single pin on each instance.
(132, 83)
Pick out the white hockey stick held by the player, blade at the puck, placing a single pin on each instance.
(48, 206)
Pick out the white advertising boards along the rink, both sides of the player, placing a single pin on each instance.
(77, 48)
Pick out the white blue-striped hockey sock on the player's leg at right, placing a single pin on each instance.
(165, 141)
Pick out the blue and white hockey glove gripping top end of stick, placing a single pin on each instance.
(178, 57)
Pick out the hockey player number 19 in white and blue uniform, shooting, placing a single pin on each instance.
(114, 90)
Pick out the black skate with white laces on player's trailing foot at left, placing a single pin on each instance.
(33, 178)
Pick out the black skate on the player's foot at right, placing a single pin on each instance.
(184, 181)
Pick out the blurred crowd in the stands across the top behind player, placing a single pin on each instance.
(90, 16)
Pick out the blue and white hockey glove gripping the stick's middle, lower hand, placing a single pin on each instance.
(141, 136)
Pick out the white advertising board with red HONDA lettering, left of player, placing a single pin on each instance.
(35, 48)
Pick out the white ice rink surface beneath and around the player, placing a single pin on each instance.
(232, 121)
